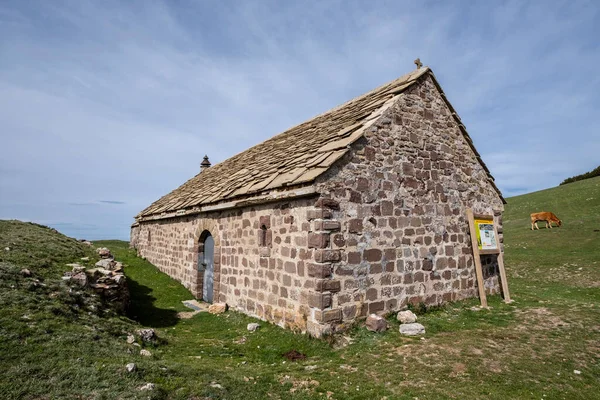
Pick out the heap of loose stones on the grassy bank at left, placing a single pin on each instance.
(107, 279)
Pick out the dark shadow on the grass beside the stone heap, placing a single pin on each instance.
(143, 310)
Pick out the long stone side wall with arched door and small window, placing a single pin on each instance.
(261, 272)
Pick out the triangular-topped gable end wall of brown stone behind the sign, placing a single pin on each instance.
(400, 197)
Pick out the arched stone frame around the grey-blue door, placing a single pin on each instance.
(205, 228)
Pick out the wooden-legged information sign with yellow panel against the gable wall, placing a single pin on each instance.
(485, 240)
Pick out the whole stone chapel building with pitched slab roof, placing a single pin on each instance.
(359, 210)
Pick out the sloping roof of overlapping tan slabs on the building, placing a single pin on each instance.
(294, 157)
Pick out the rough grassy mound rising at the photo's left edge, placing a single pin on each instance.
(57, 340)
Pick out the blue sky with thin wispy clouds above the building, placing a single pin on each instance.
(106, 106)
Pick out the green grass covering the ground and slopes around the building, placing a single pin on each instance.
(526, 350)
